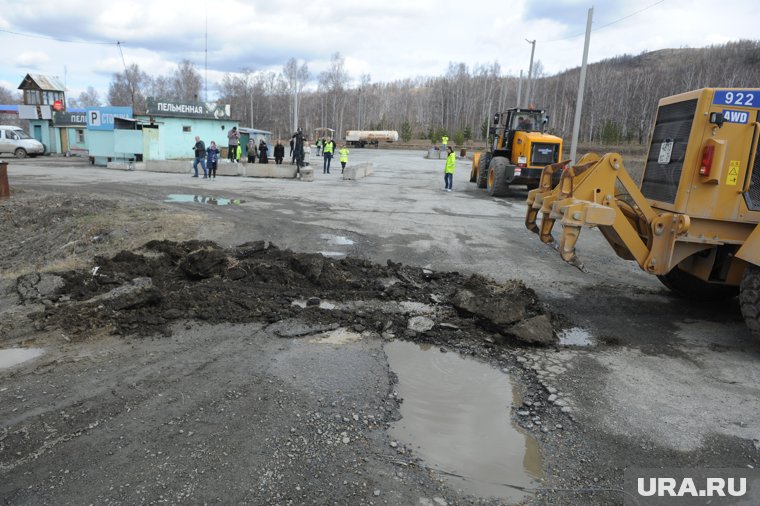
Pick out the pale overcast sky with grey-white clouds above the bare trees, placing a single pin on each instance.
(389, 39)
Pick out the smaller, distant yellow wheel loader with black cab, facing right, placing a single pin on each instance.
(519, 149)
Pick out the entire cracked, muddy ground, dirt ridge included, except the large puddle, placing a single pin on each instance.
(248, 365)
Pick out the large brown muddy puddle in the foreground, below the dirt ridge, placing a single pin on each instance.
(456, 417)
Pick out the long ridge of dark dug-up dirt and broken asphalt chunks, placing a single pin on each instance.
(146, 291)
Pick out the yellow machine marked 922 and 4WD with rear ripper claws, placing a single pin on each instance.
(694, 221)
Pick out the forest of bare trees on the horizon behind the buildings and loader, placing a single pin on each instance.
(619, 105)
